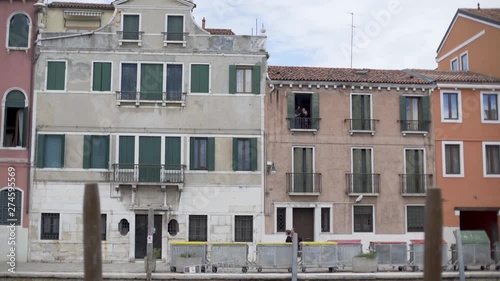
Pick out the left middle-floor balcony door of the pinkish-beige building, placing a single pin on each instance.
(303, 169)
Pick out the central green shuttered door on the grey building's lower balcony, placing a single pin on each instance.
(149, 159)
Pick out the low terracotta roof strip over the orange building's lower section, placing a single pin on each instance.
(456, 76)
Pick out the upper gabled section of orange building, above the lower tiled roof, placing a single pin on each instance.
(471, 42)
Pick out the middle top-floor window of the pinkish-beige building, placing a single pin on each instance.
(361, 112)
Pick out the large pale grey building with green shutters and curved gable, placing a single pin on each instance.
(162, 114)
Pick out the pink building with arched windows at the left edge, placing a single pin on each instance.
(17, 38)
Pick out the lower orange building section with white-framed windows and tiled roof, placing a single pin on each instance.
(466, 131)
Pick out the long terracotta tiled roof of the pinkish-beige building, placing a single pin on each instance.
(320, 74)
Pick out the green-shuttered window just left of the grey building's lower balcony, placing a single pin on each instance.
(96, 152)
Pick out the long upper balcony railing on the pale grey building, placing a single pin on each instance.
(151, 97)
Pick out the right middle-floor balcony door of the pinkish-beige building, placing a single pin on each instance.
(415, 171)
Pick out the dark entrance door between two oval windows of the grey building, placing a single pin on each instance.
(141, 234)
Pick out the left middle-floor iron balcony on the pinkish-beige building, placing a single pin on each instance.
(304, 183)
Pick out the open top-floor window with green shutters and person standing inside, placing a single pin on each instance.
(303, 111)
